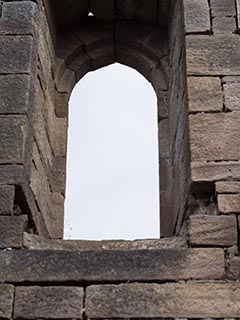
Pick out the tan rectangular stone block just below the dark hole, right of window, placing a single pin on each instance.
(212, 230)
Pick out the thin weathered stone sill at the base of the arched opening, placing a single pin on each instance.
(35, 242)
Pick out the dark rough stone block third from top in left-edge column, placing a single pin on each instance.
(14, 94)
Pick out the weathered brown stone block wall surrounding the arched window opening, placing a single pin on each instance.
(189, 51)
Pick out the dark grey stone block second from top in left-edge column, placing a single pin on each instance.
(15, 54)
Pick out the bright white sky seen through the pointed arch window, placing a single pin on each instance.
(112, 174)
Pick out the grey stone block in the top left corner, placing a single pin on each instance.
(19, 17)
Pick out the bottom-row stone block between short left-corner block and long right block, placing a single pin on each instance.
(48, 302)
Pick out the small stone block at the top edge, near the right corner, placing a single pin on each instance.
(223, 8)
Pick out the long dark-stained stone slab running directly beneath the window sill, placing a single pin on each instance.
(111, 265)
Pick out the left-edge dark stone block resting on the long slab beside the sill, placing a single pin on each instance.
(11, 231)
